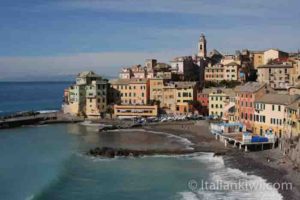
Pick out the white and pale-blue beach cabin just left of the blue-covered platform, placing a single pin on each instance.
(226, 128)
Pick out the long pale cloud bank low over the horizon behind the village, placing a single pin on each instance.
(105, 63)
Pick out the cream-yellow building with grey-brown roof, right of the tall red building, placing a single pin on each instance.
(270, 113)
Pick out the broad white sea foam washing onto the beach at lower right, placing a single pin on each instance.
(220, 176)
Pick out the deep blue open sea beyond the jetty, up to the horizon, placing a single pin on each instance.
(27, 96)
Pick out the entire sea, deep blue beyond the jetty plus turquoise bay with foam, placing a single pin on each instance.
(50, 161)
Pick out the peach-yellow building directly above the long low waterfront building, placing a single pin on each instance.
(130, 91)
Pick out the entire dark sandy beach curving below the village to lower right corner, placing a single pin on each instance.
(278, 169)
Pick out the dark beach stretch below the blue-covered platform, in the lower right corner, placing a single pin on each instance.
(256, 163)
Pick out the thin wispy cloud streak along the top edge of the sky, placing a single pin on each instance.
(200, 7)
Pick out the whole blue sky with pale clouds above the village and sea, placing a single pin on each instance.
(41, 39)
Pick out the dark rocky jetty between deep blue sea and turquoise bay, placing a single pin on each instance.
(34, 118)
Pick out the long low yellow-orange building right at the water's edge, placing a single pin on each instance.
(135, 111)
